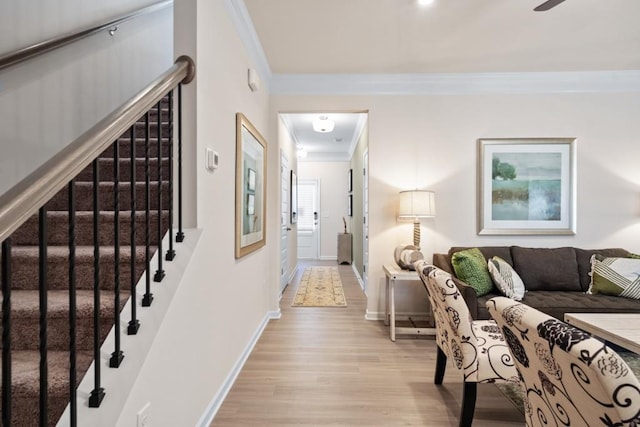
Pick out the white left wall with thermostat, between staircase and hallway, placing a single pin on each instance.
(222, 303)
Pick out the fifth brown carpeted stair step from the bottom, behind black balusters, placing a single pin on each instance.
(84, 197)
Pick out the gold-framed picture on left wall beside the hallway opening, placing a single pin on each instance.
(251, 187)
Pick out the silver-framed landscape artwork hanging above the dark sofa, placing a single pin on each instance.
(527, 186)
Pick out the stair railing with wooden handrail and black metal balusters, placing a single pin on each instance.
(31, 195)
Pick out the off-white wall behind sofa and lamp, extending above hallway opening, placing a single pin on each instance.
(430, 141)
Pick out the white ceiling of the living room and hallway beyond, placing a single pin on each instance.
(302, 38)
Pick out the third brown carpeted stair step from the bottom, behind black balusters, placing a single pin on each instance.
(24, 271)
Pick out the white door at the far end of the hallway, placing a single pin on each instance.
(308, 218)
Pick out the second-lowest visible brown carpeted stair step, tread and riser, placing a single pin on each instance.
(25, 330)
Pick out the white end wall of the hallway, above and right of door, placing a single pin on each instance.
(333, 177)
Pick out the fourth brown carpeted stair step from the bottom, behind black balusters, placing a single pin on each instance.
(58, 227)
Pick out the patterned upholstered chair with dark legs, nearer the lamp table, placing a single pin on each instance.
(476, 347)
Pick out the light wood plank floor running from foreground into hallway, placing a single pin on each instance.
(330, 366)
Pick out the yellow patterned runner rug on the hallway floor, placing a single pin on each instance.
(320, 287)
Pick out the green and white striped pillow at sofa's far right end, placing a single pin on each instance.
(615, 276)
